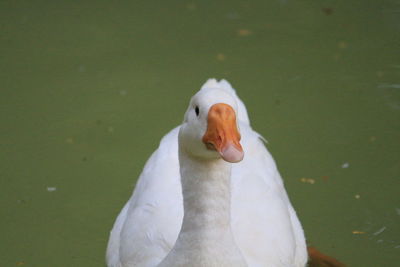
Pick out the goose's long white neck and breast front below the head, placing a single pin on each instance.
(206, 238)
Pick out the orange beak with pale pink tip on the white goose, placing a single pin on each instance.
(222, 134)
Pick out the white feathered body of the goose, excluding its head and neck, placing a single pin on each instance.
(264, 225)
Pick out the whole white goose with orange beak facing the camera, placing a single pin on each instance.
(249, 221)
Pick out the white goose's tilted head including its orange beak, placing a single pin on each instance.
(210, 129)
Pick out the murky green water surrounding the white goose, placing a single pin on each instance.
(89, 88)
